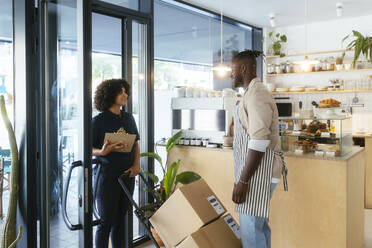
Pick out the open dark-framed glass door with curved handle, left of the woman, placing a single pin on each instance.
(65, 133)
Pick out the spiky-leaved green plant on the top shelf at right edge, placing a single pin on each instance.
(361, 45)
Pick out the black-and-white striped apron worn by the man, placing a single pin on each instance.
(258, 199)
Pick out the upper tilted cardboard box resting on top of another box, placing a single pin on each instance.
(188, 209)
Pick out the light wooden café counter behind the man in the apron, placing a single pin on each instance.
(323, 208)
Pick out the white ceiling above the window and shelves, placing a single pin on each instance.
(288, 12)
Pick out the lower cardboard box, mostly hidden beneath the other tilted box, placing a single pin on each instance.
(221, 233)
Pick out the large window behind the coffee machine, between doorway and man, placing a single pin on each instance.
(187, 46)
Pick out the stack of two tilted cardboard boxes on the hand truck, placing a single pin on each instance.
(192, 214)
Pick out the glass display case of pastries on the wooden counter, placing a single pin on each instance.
(323, 137)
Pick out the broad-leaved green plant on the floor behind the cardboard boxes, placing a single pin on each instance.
(163, 188)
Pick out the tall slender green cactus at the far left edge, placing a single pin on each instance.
(9, 237)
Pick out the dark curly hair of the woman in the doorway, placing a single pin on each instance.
(107, 92)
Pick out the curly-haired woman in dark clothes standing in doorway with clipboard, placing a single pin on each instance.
(112, 204)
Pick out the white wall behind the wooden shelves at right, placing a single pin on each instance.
(326, 35)
